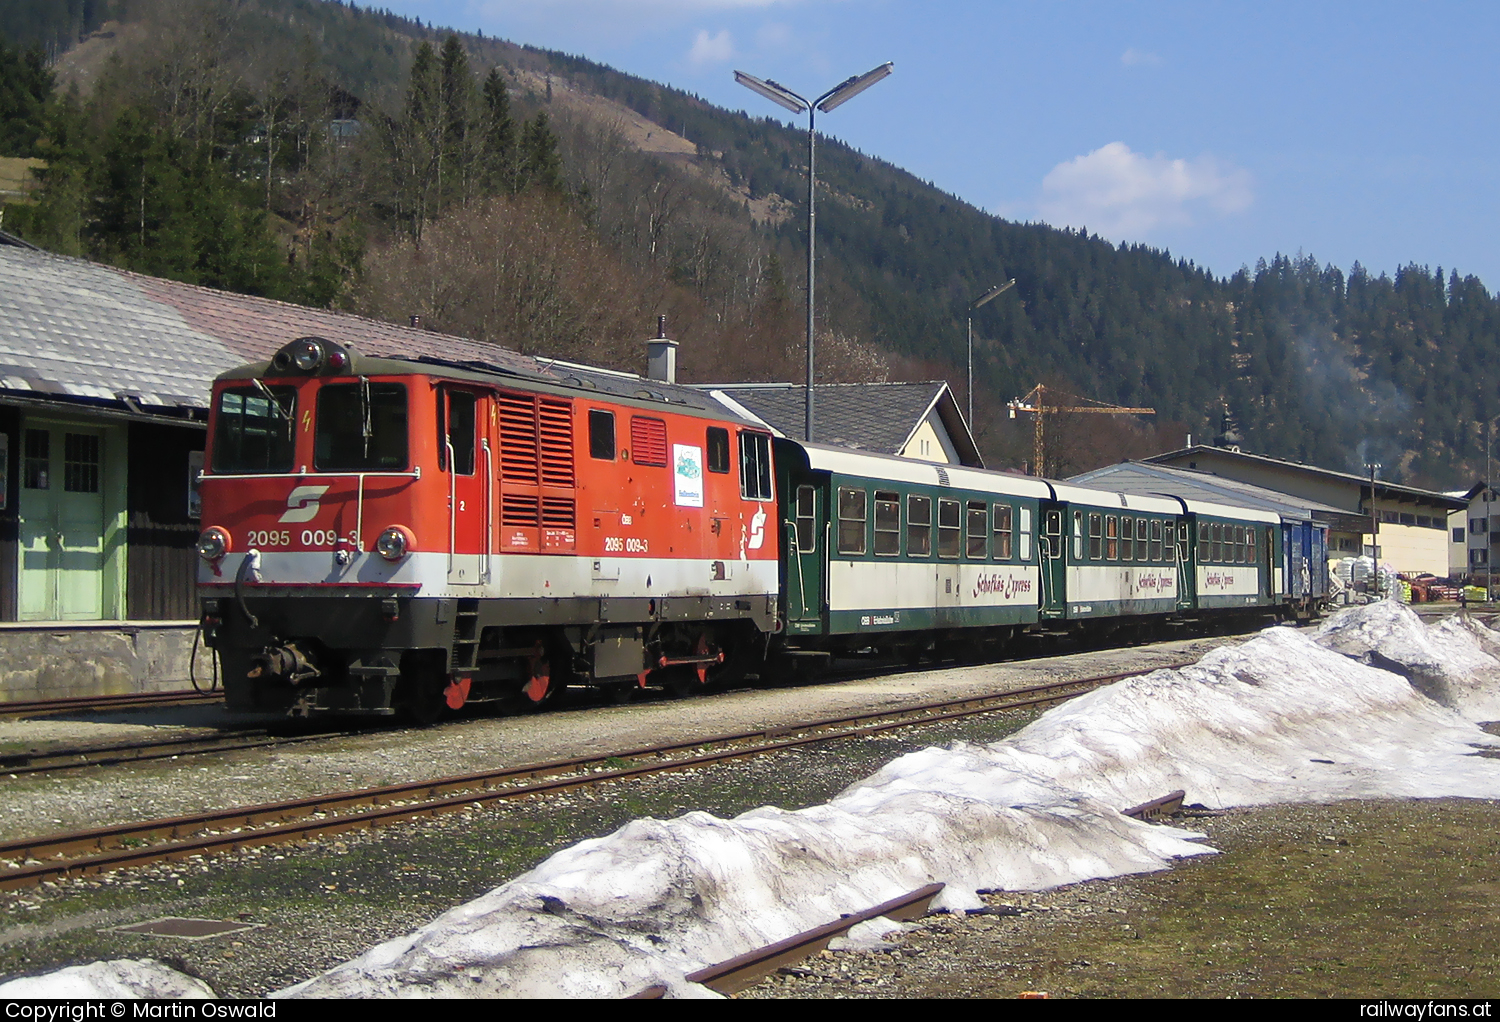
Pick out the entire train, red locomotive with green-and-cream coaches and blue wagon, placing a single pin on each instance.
(503, 532)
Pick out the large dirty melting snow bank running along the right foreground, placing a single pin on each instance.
(1288, 717)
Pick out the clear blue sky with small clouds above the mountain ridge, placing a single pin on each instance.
(1225, 133)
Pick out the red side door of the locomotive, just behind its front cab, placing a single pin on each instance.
(464, 458)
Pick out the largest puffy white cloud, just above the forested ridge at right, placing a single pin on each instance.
(1124, 194)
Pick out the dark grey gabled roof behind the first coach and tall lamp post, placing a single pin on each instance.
(866, 416)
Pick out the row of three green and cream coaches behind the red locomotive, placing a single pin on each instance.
(895, 553)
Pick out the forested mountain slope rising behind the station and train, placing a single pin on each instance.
(557, 206)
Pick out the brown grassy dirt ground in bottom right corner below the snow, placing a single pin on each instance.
(1363, 900)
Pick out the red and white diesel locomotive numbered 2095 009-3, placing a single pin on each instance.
(388, 534)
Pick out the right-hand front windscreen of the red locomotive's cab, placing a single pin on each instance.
(362, 427)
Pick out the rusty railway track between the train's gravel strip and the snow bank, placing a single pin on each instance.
(118, 847)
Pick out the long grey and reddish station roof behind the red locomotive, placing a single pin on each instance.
(83, 331)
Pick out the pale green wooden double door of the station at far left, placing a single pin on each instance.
(62, 525)
